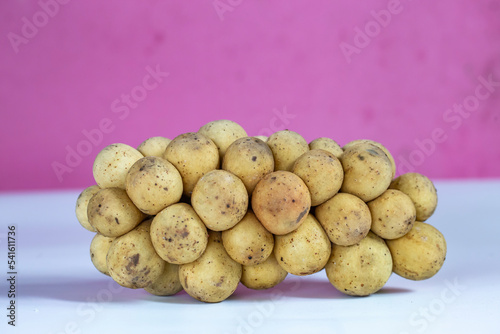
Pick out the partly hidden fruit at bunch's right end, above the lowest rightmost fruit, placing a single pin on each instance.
(421, 191)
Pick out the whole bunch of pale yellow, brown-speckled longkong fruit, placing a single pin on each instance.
(210, 209)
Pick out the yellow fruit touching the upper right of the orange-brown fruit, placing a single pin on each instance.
(322, 172)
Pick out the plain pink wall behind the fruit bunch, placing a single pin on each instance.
(250, 63)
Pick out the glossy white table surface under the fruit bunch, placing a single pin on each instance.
(59, 290)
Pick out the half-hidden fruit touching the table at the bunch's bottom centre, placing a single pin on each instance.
(264, 275)
